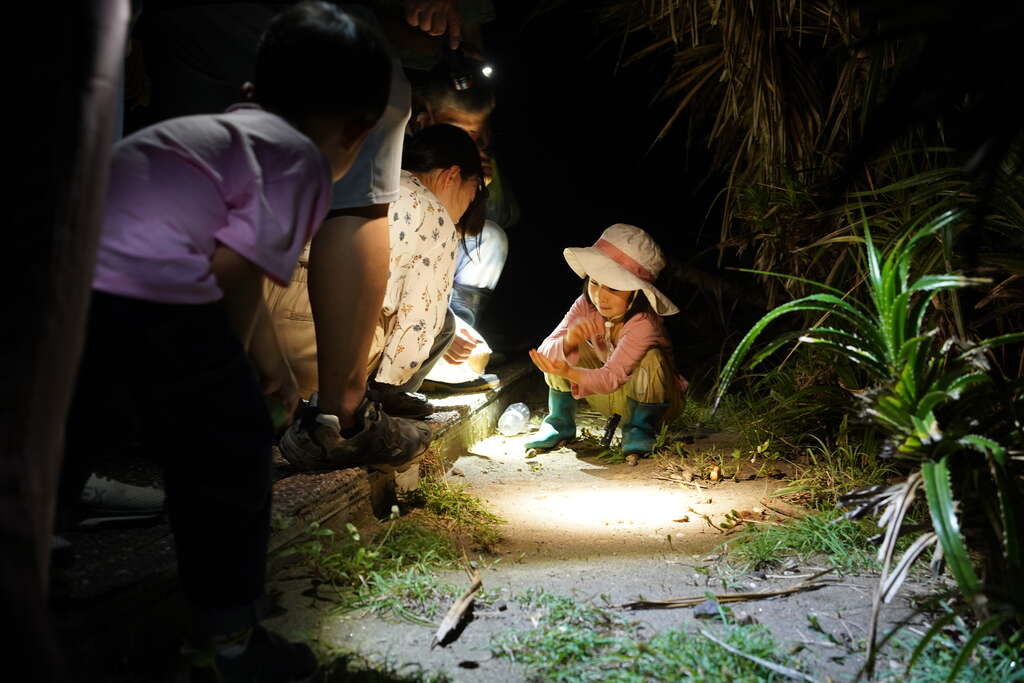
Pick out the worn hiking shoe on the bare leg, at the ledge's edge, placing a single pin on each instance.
(382, 443)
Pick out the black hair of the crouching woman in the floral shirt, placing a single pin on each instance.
(444, 146)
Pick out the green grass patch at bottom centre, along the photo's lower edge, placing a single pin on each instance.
(575, 642)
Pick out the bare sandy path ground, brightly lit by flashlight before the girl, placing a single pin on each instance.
(602, 533)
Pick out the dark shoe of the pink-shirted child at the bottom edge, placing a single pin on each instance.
(267, 659)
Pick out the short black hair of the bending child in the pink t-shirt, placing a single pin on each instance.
(315, 59)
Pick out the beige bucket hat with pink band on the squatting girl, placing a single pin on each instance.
(624, 259)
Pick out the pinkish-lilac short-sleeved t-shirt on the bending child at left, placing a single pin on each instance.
(245, 179)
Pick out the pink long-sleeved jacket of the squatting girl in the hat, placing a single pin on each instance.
(639, 334)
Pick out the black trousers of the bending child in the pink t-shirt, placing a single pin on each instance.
(203, 417)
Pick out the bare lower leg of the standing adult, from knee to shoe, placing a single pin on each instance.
(349, 271)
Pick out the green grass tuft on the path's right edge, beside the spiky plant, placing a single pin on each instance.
(842, 543)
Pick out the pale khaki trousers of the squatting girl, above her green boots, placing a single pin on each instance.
(654, 381)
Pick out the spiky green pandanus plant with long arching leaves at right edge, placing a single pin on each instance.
(946, 411)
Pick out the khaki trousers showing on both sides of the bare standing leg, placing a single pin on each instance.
(293, 321)
